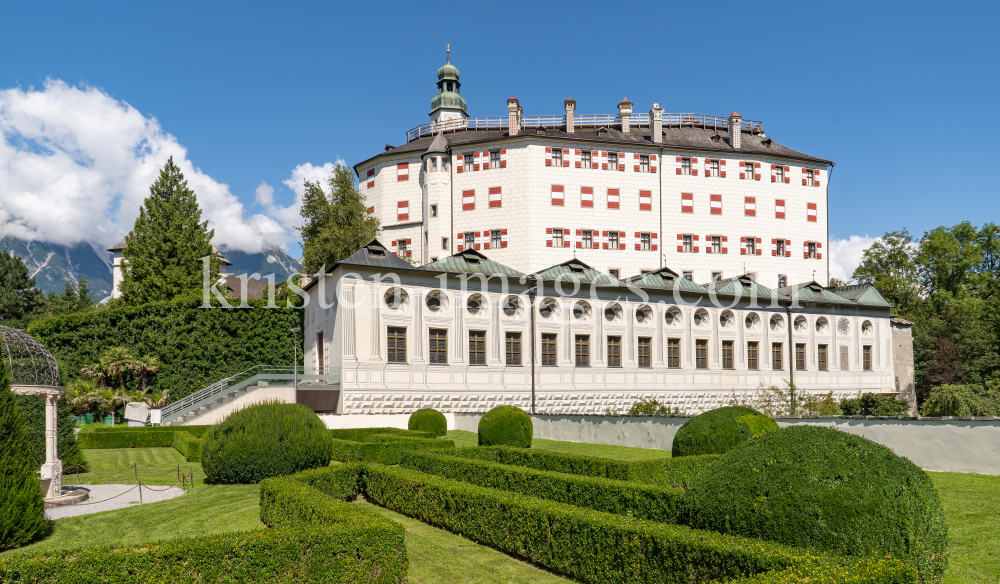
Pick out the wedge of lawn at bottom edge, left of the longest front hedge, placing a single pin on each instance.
(441, 557)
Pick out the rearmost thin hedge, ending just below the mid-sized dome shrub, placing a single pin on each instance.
(660, 471)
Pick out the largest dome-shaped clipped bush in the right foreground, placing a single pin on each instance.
(820, 488)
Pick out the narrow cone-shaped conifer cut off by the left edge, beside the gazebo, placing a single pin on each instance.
(22, 509)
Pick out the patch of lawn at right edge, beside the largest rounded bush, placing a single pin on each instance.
(972, 510)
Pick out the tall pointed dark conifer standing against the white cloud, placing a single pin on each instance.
(162, 255)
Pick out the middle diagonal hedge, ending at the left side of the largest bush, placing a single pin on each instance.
(652, 502)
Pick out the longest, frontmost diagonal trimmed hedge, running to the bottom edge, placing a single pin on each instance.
(599, 547)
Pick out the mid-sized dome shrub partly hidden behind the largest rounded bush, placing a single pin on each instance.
(717, 431)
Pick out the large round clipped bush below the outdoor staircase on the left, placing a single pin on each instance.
(265, 440)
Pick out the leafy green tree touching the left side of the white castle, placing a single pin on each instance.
(335, 226)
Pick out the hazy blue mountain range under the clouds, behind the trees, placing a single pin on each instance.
(52, 264)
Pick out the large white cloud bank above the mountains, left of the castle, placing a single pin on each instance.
(76, 164)
